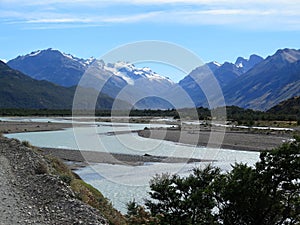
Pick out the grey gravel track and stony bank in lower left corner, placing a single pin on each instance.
(31, 193)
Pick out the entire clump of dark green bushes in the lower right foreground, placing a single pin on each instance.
(266, 194)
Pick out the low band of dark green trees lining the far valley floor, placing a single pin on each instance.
(235, 114)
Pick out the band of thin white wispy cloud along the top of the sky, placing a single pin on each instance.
(276, 15)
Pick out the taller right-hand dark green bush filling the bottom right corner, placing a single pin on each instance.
(267, 194)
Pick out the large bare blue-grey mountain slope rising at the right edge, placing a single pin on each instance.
(273, 80)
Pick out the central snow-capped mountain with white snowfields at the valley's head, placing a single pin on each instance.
(139, 86)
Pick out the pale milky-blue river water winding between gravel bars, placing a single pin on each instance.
(126, 169)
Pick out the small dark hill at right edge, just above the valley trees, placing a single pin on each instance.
(287, 107)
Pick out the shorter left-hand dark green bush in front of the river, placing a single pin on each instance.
(187, 200)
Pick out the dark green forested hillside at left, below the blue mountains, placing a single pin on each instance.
(20, 91)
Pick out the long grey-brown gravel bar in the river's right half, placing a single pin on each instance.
(246, 139)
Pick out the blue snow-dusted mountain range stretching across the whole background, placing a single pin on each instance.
(255, 83)
